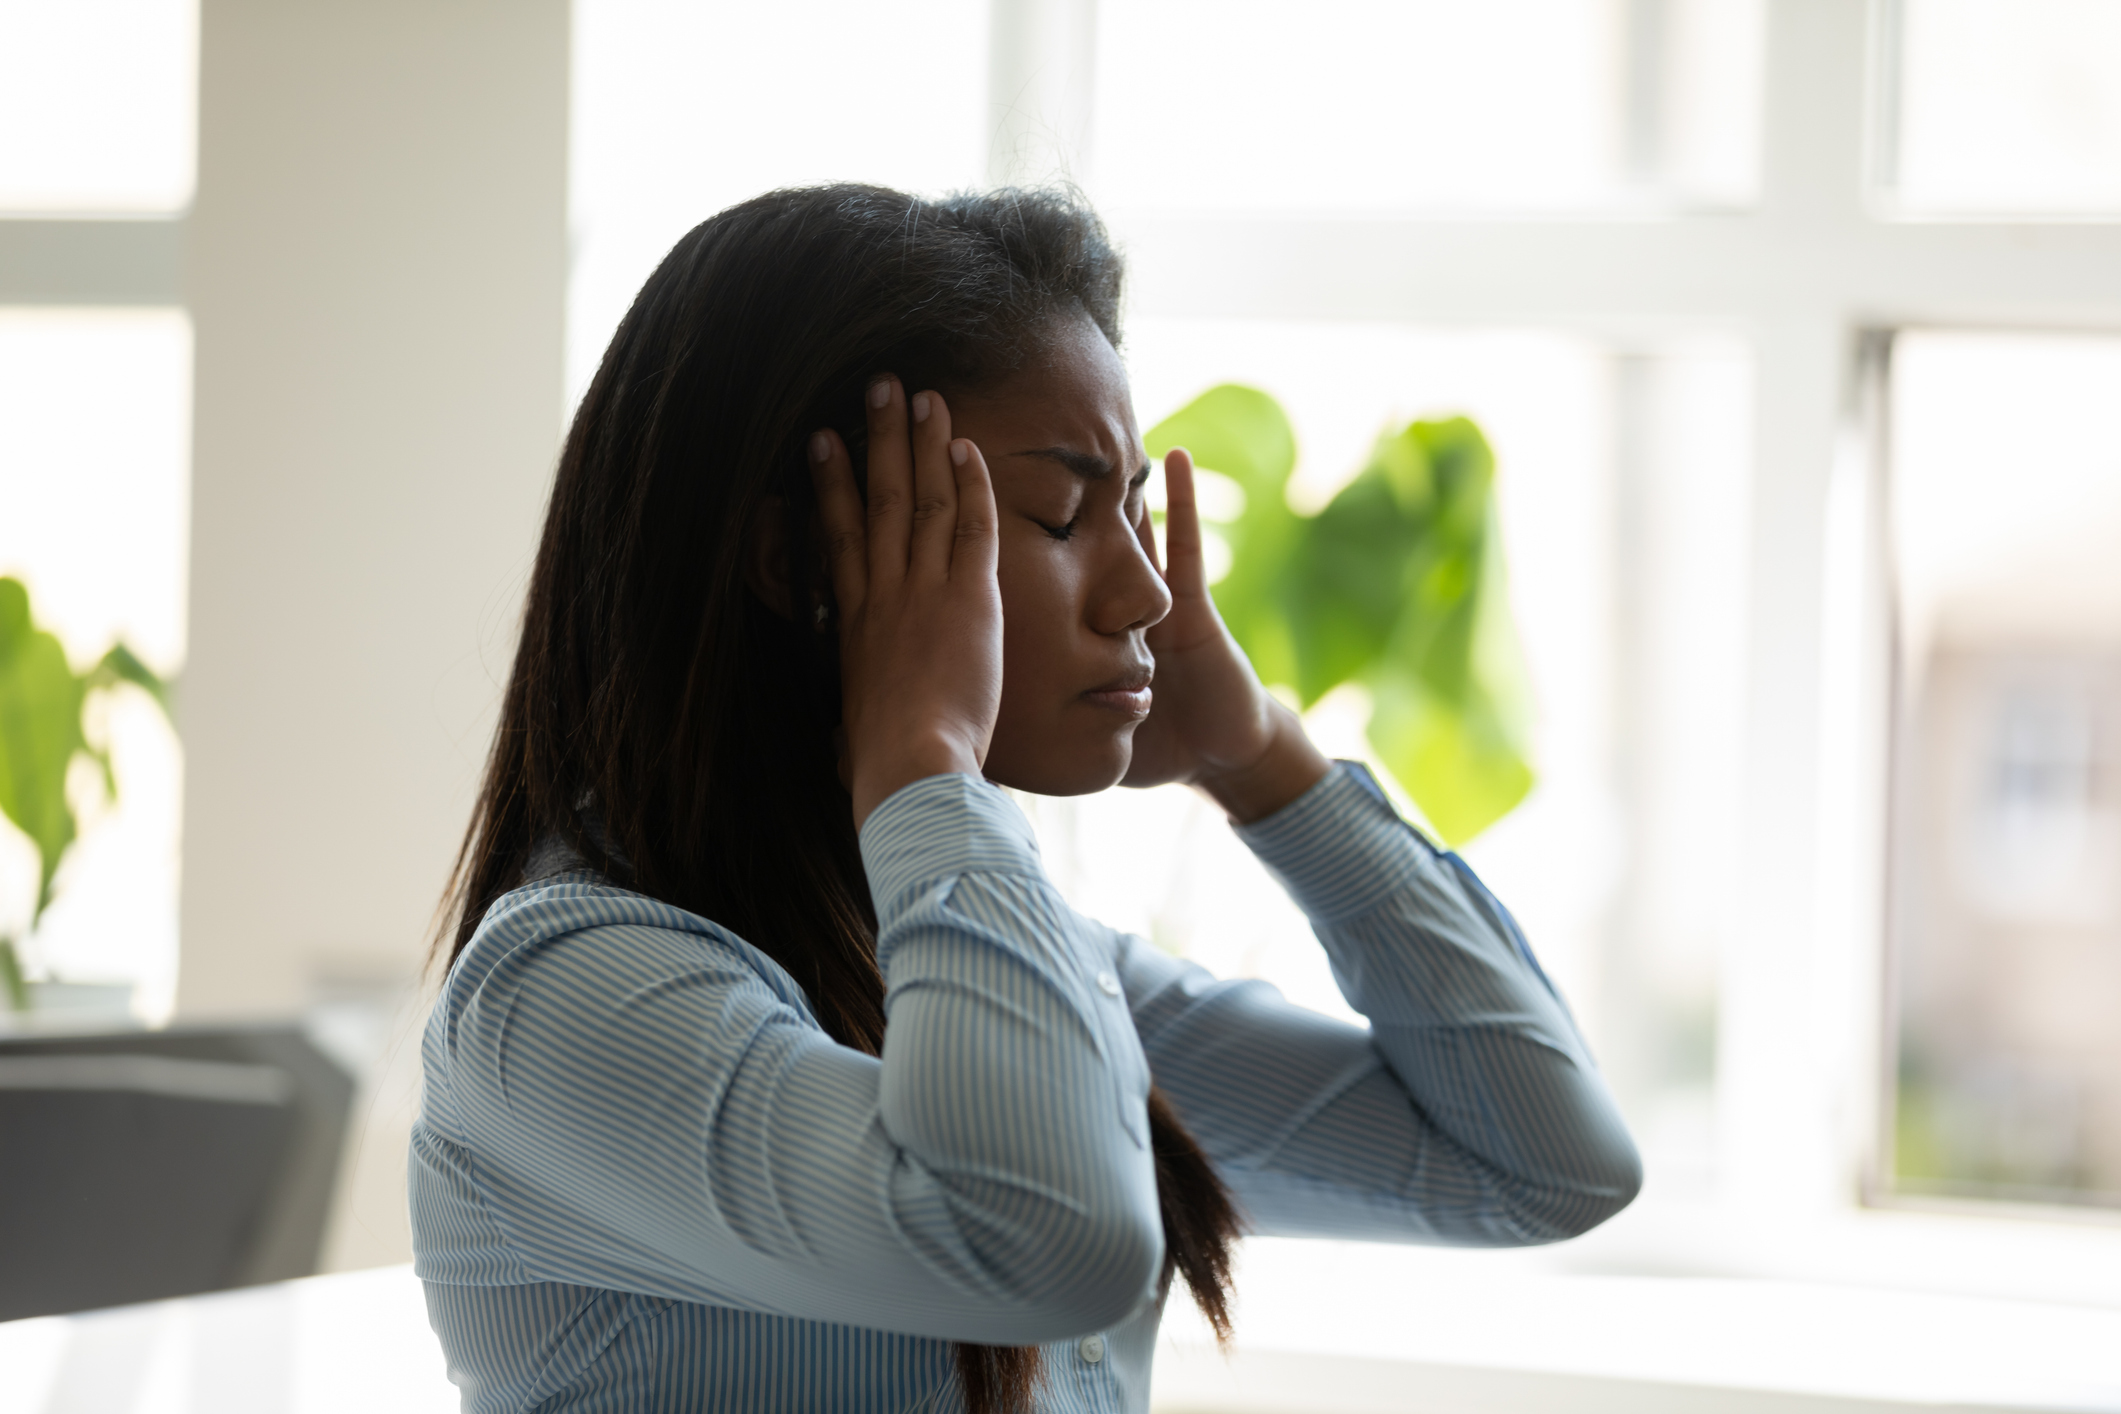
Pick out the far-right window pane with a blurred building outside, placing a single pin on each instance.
(2008, 800)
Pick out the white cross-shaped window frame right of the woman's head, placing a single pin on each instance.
(1817, 275)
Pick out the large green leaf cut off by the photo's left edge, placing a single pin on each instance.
(39, 735)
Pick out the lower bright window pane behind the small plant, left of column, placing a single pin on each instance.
(94, 476)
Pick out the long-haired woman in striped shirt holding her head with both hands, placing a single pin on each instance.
(847, 529)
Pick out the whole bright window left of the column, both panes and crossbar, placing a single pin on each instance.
(97, 156)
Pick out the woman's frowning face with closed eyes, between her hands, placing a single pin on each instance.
(1079, 593)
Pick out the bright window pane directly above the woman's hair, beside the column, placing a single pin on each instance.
(676, 120)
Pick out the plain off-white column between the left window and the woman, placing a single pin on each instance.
(376, 272)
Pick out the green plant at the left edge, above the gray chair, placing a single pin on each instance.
(41, 732)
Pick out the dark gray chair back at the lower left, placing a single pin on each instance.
(139, 1167)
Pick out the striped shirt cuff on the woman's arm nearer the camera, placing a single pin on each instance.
(941, 828)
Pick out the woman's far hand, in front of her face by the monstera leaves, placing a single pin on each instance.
(1212, 726)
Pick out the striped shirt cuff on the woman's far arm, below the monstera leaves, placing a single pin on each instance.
(1339, 847)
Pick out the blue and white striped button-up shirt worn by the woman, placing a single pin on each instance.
(646, 1180)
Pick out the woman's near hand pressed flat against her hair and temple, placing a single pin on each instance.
(919, 605)
